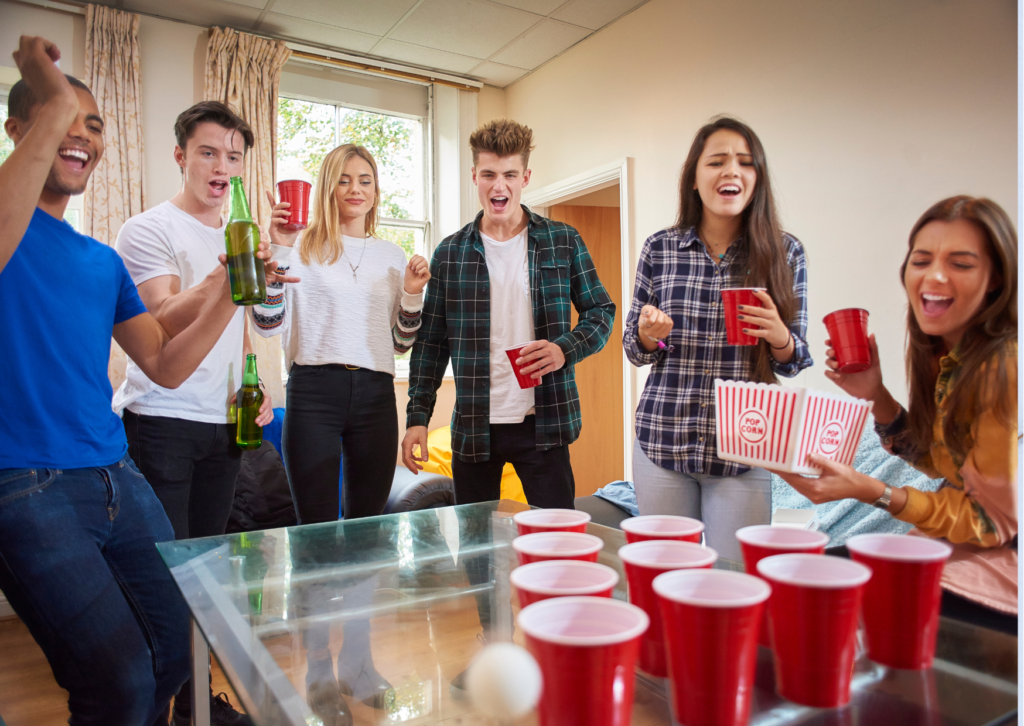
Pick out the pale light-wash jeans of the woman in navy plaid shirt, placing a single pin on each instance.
(724, 504)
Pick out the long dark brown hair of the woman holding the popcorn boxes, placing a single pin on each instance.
(978, 388)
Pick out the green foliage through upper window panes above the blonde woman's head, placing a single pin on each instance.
(306, 132)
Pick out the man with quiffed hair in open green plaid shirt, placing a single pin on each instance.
(506, 279)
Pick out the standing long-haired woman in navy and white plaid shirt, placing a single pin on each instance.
(728, 236)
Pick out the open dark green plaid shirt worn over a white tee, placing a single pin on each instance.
(457, 326)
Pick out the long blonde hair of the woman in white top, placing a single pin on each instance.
(322, 241)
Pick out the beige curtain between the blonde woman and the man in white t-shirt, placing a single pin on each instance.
(244, 72)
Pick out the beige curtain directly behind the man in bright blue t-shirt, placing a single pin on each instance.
(112, 71)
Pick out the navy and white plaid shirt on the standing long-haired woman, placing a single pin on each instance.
(675, 422)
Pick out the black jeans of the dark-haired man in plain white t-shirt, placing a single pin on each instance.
(192, 466)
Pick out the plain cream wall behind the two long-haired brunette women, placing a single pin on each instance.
(870, 112)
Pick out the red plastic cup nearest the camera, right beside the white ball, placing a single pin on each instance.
(587, 650)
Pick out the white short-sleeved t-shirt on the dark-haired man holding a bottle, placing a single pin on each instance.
(167, 241)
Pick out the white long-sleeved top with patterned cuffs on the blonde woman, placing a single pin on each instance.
(335, 317)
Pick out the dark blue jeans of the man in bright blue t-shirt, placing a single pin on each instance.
(79, 566)
